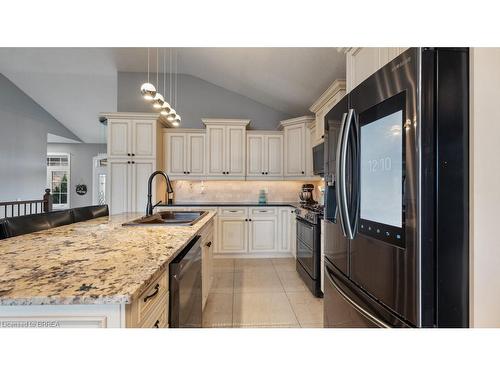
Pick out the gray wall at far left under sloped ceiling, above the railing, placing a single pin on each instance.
(23, 143)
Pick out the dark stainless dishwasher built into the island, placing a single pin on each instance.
(185, 287)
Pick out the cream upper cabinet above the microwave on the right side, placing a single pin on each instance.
(323, 105)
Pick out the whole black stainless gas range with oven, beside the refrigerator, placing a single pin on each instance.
(309, 247)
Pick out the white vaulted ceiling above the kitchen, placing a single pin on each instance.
(75, 84)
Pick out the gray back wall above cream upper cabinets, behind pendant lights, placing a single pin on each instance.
(199, 99)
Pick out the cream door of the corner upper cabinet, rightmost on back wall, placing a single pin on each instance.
(295, 150)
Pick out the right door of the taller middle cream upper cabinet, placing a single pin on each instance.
(235, 151)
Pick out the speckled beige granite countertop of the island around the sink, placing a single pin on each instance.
(92, 262)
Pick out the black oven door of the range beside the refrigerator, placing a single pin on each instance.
(307, 251)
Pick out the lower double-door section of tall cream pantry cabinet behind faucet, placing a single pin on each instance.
(128, 184)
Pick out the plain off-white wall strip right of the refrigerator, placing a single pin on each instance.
(485, 187)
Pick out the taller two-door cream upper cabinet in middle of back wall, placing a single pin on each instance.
(226, 148)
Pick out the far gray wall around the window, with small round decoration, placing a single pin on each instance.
(81, 167)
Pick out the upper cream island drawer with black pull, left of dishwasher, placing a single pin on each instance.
(148, 301)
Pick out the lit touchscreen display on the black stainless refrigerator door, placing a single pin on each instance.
(381, 171)
